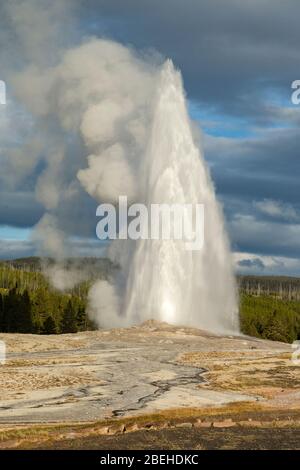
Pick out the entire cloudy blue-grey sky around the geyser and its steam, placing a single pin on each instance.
(237, 63)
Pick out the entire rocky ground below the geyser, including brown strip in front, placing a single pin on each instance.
(156, 382)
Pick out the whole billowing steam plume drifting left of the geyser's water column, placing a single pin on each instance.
(87, 111)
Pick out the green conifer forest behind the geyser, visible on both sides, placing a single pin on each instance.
(269, 307)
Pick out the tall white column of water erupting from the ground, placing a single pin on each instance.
(166, 281)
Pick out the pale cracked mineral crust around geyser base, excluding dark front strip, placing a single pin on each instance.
(96, 375)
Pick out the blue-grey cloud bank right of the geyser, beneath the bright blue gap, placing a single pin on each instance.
(258, 181)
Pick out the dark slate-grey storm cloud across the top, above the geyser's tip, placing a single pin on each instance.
(230, 52)
